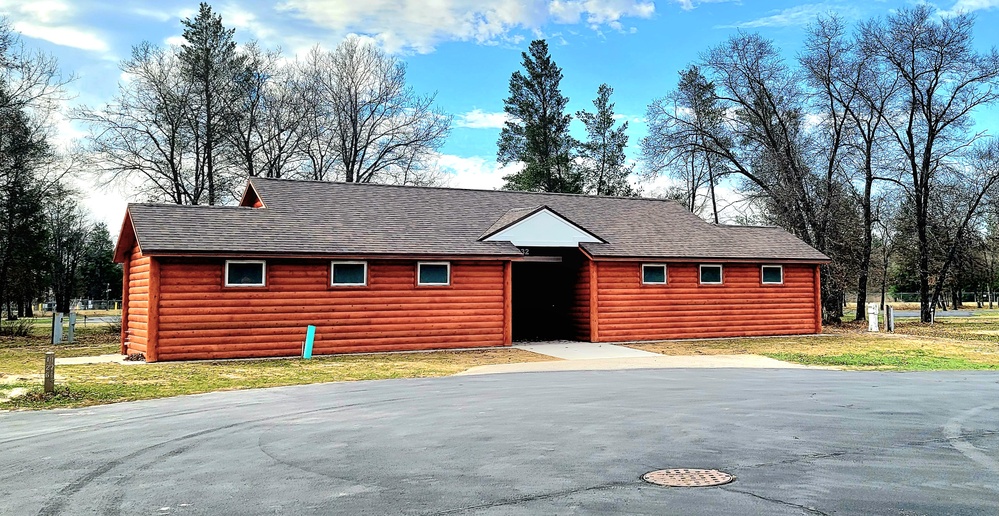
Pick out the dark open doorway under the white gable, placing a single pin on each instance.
(544, 293)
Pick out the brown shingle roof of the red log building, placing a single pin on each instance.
(307, 217)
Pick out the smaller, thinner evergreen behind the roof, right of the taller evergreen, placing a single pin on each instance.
(604, 166)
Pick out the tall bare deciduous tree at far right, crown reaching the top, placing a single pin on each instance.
(943, 79)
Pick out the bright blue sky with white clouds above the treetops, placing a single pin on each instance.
(465, 50)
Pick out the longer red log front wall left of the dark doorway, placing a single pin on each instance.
(199, 318)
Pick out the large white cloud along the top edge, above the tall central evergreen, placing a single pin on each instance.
(412, 25)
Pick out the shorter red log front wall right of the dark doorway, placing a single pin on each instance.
(741, 306)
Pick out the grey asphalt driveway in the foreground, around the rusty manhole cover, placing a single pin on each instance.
(799, 442)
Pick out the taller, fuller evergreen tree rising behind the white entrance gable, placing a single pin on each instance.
(537, 132)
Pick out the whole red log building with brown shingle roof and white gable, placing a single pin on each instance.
(389, 268)
